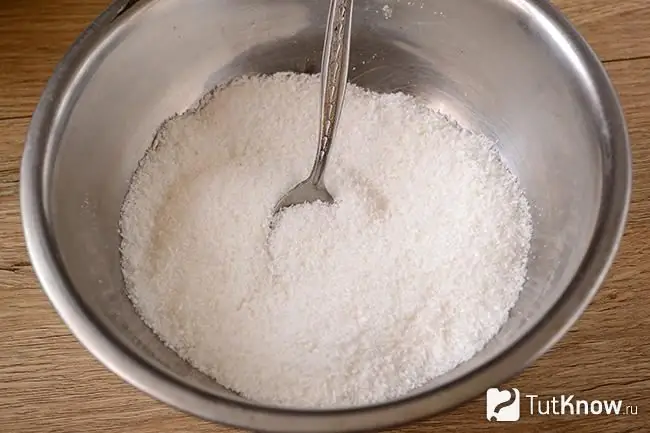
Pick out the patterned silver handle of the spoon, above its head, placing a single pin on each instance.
(334, 76)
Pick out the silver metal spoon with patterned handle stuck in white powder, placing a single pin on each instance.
(334, 75)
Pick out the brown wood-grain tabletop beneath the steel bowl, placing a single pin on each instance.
(49, 383)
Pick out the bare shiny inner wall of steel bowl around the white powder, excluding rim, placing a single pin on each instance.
(498, 67)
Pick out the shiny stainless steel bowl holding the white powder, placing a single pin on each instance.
(514, 70)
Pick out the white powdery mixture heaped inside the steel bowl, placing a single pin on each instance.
(408, 274)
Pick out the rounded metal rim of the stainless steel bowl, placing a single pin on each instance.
(158, 384)
